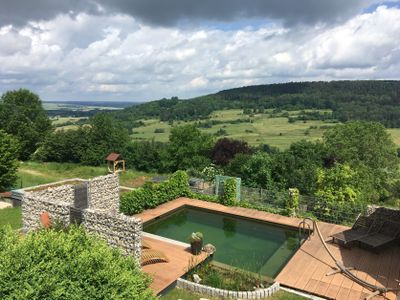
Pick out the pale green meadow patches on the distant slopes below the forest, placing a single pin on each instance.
(267, 128)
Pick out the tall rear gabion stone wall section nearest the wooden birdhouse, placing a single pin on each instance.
(103, 193)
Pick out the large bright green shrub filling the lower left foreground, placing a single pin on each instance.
(69, 264)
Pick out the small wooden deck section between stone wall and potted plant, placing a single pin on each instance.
(166, 273)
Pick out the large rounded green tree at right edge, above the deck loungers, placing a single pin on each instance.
(368, 149)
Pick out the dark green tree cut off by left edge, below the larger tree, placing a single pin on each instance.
(8, 160)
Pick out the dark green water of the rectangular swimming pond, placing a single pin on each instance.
(246, 244)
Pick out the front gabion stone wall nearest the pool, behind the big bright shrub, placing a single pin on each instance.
(117, 229)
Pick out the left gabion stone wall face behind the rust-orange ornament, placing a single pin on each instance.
(34, 205)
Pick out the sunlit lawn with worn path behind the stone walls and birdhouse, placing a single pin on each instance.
(34, 173)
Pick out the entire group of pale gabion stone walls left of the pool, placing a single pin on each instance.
(101, 218)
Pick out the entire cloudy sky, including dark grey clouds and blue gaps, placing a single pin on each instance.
(141, 50)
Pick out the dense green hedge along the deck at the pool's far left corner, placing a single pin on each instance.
(151, 195)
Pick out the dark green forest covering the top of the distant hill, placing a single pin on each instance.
(374, 100)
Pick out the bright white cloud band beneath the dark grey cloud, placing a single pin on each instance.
(117, 57)
